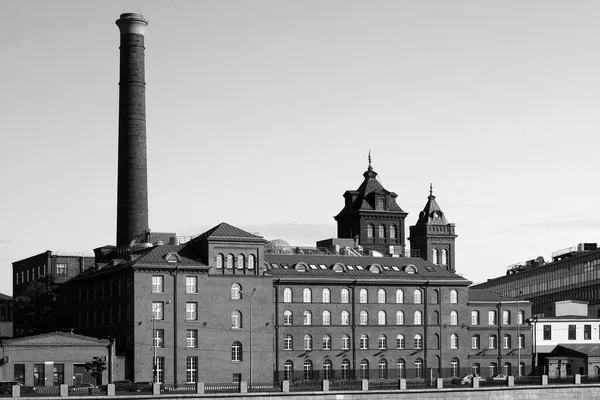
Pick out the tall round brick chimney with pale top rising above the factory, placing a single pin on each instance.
(132, 187)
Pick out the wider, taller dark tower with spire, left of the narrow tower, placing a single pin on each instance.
(372, 217)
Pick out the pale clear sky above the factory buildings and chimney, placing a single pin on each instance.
(261, 114)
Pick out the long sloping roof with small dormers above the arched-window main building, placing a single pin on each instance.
(321, 267)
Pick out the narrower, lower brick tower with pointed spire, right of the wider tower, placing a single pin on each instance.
(433, 236)
